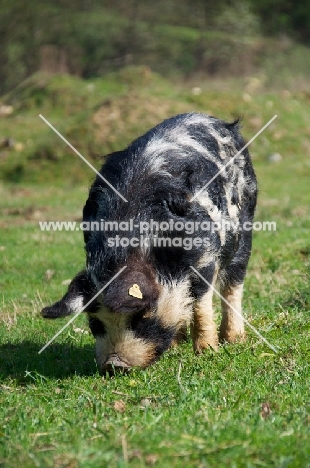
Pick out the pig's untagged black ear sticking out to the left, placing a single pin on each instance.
(79, 293)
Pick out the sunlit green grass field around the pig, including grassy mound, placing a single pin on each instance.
(244, 406)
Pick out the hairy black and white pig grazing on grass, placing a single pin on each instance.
(149, 305)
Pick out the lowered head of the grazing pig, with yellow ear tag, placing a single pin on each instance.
(134, 320)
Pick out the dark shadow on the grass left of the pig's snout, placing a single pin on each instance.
(21, 361)
